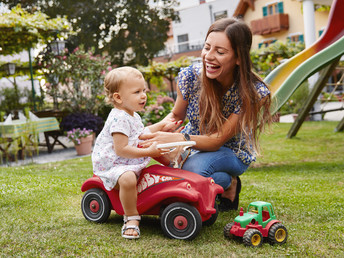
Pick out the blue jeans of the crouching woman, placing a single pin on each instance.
(221, 165)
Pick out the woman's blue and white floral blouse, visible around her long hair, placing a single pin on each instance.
(189, 84)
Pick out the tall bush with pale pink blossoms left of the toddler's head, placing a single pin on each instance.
(75, 79)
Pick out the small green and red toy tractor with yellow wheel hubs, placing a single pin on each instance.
(259, 221)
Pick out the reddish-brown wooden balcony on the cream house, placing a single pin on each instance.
(270, 24)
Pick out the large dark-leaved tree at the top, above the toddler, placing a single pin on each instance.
(130, 31)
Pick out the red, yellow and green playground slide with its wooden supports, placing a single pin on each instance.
(322, 56)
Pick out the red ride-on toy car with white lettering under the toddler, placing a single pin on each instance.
(184, 200)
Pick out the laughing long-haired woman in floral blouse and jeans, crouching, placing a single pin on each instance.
(227, 106)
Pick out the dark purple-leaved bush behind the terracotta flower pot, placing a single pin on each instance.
(82, 120)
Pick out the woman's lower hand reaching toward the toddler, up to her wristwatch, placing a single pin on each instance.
(160, 137)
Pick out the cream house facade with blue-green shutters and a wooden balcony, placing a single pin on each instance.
(281, 20)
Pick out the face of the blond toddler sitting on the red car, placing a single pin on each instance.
(133, 95)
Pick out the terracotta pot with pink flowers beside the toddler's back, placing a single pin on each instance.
(82, 139)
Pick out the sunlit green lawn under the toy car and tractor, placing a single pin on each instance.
(302, 177)
